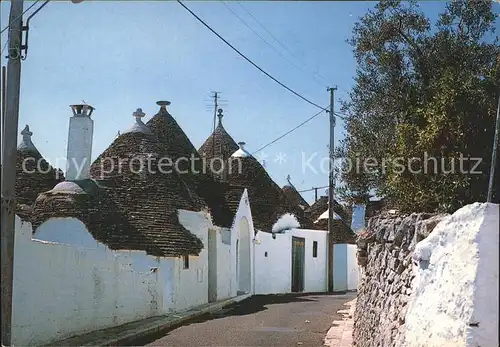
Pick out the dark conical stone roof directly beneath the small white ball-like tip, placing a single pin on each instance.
(267, 201)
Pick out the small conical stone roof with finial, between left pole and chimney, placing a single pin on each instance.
(33, 175)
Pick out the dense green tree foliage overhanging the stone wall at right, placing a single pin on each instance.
(423, 90)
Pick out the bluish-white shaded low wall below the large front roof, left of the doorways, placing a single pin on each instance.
(61, 290)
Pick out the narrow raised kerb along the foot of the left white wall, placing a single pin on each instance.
(129, 332)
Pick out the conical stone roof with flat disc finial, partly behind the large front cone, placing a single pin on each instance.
(175, 144)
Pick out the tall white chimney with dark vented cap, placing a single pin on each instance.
(81, 131)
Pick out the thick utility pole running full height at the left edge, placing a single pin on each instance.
(9, 165)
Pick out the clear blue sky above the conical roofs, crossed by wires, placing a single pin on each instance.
(121, 55)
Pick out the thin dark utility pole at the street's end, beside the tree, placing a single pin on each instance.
(331, 187)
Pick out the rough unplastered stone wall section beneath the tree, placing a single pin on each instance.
(384, 253)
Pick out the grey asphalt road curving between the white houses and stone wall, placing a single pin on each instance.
(271, 320)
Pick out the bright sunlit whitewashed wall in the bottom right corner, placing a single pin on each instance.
(455, 292)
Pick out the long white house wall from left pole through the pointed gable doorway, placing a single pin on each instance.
(66, 283)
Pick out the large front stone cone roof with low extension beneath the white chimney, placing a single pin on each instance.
(127, 208)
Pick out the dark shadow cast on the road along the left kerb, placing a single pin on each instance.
(248, 306)
